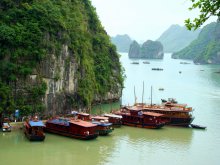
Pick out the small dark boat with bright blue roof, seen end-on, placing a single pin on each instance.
(33, 129)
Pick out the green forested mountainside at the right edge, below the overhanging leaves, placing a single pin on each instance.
(206, 48)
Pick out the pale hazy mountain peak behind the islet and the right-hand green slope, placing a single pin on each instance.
(176, 38)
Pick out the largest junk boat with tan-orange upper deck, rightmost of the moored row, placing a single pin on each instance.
(174, 114)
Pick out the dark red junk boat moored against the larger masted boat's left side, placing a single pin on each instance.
(134, 116)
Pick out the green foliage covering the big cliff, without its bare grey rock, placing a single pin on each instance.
(31, 31)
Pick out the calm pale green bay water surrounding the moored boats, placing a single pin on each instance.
(128, 145)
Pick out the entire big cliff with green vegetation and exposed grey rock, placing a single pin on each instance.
(55, 56)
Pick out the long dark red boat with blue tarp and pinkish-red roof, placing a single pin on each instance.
(74, 128)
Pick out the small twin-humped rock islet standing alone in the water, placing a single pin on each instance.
(149, 50)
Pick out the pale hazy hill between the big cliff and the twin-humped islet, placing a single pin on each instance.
(122, 42)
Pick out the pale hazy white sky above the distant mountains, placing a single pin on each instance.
(142, 19)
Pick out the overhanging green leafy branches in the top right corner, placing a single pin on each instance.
(207, 9)
